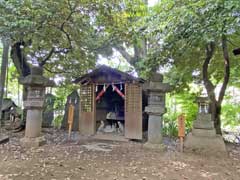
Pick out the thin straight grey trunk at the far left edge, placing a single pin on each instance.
(6, 45)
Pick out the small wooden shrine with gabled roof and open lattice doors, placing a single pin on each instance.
(110, 102)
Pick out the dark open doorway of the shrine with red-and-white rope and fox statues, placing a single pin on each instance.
(110, 109)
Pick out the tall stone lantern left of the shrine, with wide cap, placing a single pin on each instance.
(36, 84)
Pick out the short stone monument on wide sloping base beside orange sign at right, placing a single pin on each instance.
(203, 138)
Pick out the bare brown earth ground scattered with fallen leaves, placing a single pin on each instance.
(83, 158)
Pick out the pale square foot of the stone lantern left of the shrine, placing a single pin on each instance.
(33, 142)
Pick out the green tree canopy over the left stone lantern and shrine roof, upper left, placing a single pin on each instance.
(72, 33)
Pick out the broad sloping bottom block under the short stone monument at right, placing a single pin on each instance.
(212, 145)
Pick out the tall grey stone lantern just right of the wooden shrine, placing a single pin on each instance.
(155, 109)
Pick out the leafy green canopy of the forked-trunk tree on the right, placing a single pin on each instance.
(178, 33)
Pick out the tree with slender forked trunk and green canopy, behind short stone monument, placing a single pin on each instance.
(195, 38)
